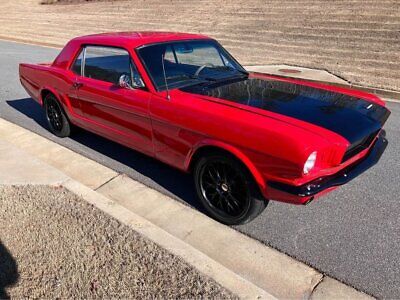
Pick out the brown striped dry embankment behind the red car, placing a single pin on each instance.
(357, 39)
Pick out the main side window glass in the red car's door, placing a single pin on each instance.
(106, 63)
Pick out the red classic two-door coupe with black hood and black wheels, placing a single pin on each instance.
(182, 98)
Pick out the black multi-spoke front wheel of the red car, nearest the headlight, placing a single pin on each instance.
(227, 190)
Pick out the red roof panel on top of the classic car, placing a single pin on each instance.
(137, 38)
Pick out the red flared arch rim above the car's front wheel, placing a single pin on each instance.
(215, 146)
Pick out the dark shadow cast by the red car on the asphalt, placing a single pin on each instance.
(168, 180)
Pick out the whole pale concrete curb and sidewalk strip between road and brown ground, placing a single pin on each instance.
(252, 270)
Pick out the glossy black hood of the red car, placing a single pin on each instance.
(351, 117)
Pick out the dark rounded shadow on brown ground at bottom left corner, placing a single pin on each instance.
(8, 271)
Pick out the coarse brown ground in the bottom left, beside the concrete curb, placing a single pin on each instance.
(55, 245)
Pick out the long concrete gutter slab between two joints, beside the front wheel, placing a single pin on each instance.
(271, 270)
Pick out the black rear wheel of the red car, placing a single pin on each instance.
(56, 117)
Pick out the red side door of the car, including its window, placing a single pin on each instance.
(119, 113)
